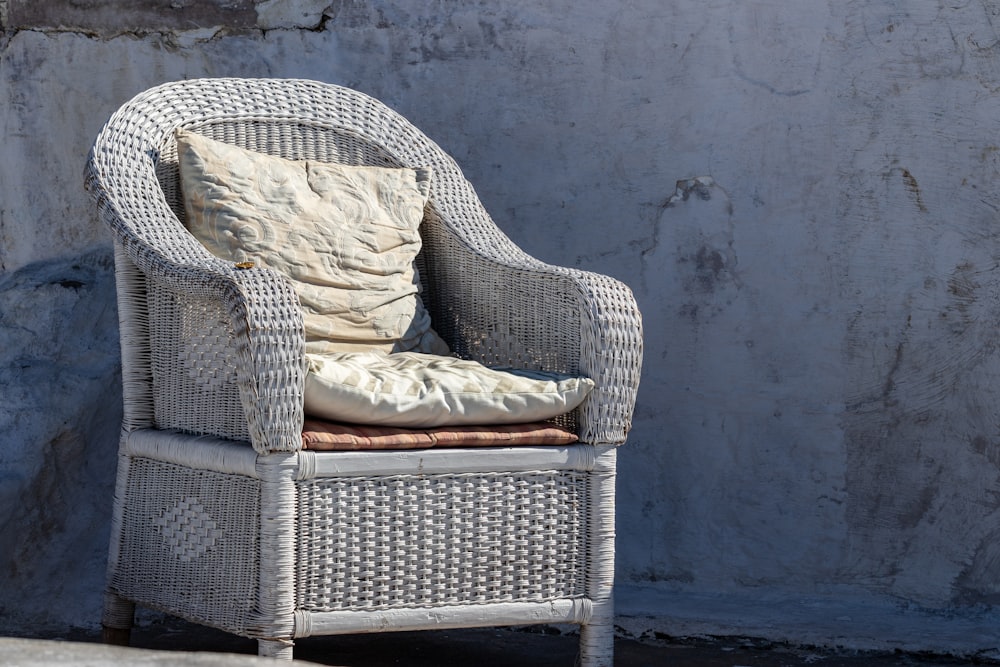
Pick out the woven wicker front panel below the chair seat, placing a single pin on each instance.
(408, 541)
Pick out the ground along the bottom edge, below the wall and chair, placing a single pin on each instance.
(173, 642)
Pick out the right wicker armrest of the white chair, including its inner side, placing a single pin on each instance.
(502, 307)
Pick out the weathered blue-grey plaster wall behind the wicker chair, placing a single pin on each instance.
(802, 195)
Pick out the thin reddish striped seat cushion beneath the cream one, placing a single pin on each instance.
(318, 435)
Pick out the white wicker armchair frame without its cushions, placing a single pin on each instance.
(221, 517)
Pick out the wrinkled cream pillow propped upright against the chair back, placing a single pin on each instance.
(346, 236)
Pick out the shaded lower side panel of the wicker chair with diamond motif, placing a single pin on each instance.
(201, 549)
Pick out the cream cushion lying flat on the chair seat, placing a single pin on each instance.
(414, 390)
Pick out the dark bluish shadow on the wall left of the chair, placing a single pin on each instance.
(60, 416)
